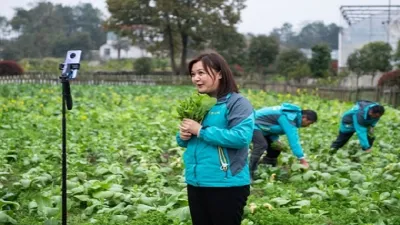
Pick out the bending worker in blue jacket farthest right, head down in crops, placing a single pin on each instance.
(361, 119)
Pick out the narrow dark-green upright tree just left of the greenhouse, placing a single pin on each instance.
(320, 60)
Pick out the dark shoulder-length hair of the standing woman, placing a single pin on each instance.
(215, 61)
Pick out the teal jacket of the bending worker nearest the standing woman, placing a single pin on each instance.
(278, 120)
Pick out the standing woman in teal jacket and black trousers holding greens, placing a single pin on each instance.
(216, 167)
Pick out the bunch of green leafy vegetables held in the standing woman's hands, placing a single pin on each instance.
(195, 107)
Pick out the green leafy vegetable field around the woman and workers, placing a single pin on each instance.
(125, 166)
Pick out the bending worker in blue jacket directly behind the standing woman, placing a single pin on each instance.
(274, 121)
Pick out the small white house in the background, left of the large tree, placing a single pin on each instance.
(109, 51)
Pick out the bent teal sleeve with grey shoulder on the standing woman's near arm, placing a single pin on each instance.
(240, 127)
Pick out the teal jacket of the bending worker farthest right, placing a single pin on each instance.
(357, 120)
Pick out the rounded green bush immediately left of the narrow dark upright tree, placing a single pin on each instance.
(292, 63)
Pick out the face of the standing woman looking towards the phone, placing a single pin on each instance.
(205, 83)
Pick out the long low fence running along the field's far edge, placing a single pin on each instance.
(386, 95)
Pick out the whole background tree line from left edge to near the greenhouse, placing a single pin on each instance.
(167, 28)
